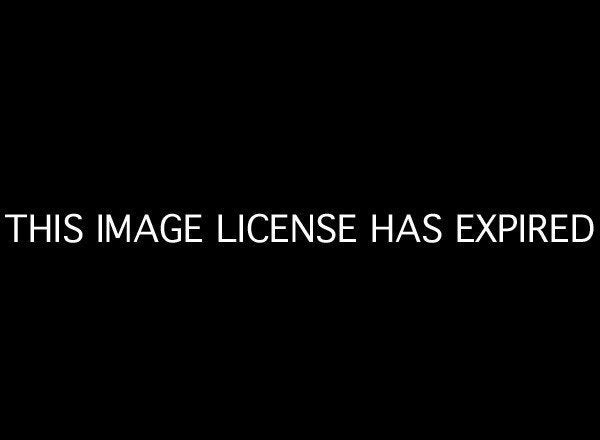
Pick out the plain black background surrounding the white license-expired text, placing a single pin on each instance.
(368, 113)
